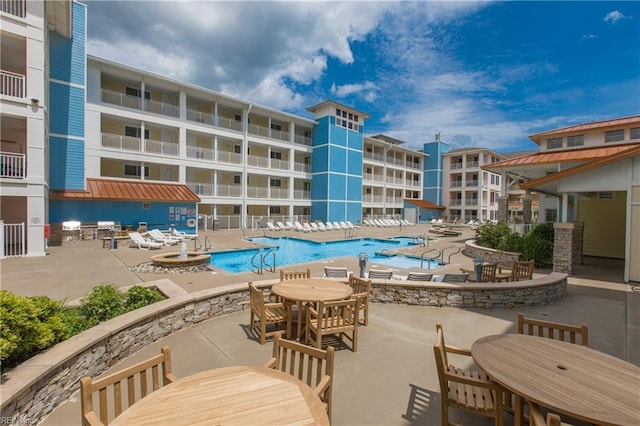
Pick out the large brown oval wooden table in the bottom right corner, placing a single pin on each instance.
(566, 378)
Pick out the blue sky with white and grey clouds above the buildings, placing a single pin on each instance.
(485, 74)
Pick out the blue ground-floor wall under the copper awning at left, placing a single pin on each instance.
(125, 212)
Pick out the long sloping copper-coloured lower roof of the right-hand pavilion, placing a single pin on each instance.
(585, 154)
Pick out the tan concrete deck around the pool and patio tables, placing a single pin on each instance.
(391, 380)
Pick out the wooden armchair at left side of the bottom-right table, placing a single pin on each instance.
(469, 390)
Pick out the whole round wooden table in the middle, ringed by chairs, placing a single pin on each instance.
(310, 290)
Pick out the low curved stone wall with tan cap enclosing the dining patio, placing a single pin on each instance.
(33, 389)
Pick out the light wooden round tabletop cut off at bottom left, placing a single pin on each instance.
(229, 396)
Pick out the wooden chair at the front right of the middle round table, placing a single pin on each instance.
(333, 318)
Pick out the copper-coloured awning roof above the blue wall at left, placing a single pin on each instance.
(119, 190)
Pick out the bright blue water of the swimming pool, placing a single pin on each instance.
(290, 251)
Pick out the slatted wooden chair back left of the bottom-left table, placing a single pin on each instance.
(114, 396)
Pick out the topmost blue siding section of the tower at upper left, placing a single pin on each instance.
(68, 56)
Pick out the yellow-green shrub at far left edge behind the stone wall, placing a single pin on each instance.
(28, 325)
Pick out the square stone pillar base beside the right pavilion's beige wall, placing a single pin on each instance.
(567, 246)
